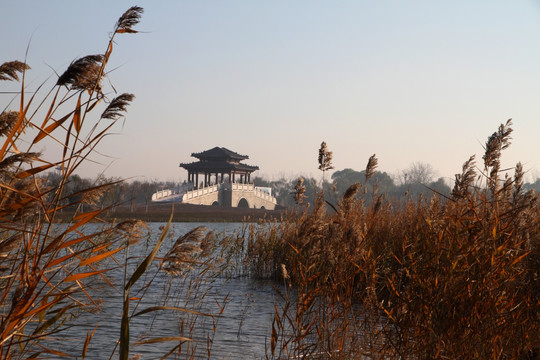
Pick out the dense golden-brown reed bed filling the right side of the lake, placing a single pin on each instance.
(448, 278)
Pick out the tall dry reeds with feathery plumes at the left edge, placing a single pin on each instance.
(49, 267)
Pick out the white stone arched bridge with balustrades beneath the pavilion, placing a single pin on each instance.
(223, 194)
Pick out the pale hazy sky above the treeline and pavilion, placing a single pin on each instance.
(411, 80)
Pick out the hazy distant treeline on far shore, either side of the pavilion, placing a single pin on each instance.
(417, 181)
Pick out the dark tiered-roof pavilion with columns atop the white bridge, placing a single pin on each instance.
(220, 165)
